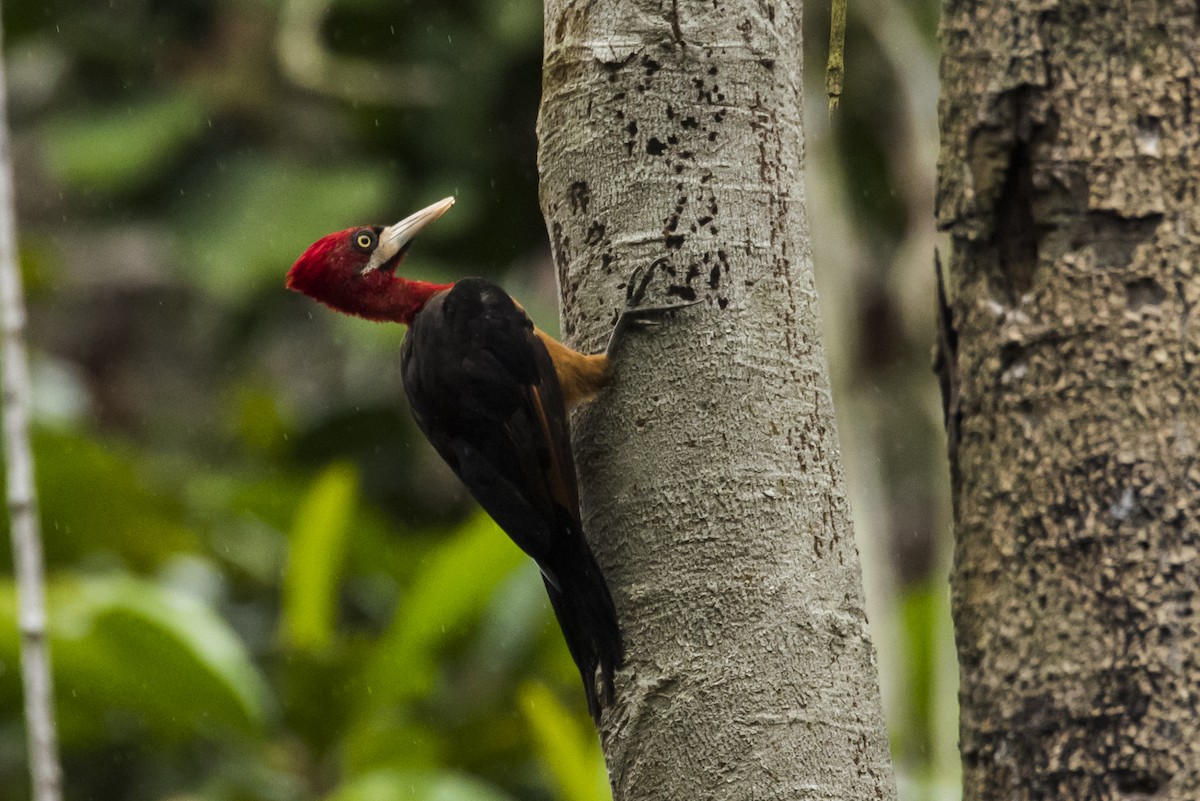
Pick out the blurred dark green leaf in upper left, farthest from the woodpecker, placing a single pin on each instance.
(118, 148)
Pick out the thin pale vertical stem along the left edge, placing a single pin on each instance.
(27, 544)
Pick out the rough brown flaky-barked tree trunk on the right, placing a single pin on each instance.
(1070, 185)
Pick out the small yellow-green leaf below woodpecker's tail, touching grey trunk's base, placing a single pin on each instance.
(571, 755)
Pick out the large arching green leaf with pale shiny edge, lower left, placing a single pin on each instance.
(128, 646)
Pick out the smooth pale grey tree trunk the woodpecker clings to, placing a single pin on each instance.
(711, 483)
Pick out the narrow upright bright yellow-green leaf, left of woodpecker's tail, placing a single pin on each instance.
(316, 557)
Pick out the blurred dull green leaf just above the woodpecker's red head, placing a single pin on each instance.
(259, 216)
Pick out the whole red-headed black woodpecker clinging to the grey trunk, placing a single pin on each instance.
(491, 393)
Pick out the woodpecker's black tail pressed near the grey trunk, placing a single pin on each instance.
(589, 621)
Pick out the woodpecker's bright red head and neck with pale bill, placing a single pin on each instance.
(355, 272)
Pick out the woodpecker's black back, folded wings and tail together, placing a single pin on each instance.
(484, 392)
